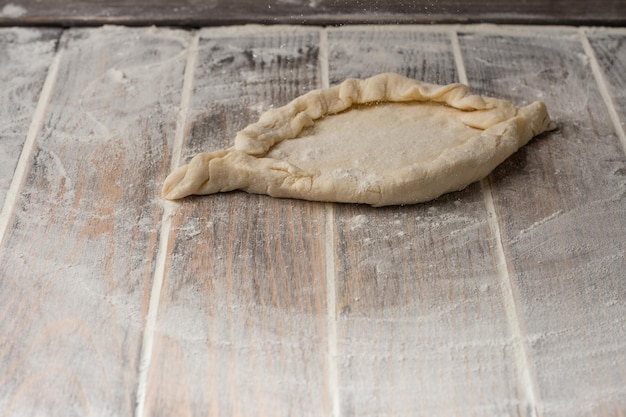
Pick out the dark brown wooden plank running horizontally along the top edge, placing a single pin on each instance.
(319, 12)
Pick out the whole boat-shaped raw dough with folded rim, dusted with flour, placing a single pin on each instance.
(381, 141)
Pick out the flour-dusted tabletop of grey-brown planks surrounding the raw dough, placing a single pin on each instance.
(505, 299)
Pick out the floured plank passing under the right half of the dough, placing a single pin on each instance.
(421, 327)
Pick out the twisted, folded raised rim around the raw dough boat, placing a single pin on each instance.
(497, 118)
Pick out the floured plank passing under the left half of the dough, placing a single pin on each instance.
(241, 329)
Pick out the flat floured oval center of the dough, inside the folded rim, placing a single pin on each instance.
(378, 138)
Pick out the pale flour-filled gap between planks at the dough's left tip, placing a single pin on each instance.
(169, 208)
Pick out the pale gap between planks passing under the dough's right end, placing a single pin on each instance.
(507, 286)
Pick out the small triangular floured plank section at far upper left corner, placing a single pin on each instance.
(26, 55)
